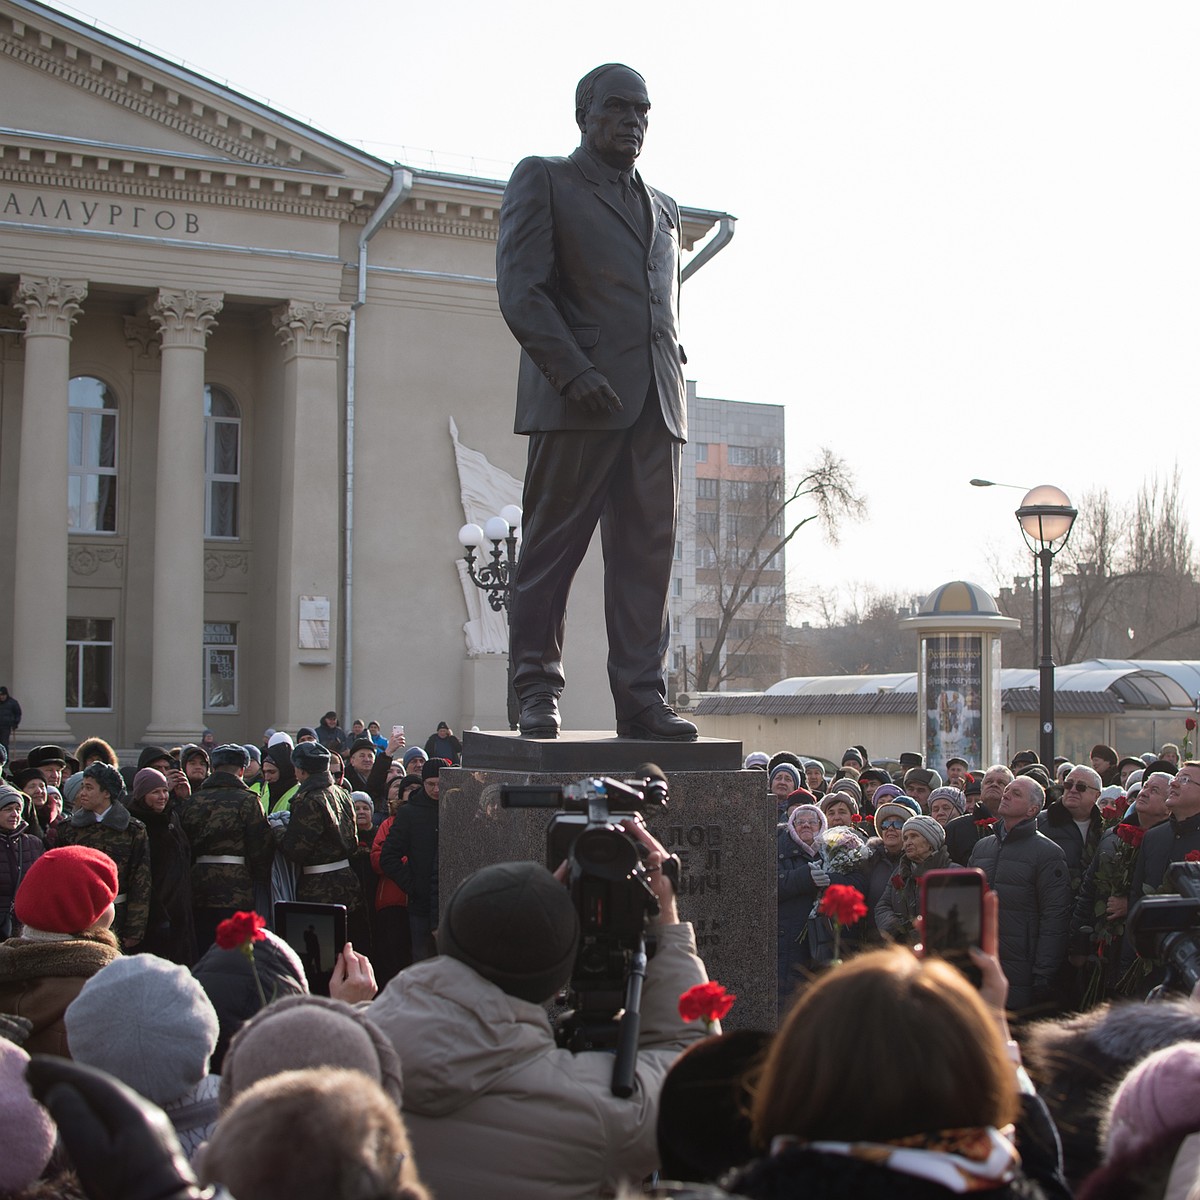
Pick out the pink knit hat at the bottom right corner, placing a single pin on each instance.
(1159, 1097)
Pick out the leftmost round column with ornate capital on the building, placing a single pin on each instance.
(50, 307)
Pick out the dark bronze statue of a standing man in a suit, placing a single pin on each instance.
(589, 280)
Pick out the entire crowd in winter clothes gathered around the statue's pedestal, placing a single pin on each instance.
(159, 1041)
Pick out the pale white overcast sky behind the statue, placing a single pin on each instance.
(968, 233)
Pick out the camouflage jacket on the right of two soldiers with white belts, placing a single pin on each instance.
(322, 831)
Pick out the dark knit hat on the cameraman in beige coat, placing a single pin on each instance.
(517, 926)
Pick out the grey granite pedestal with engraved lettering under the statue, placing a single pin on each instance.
(719, 821)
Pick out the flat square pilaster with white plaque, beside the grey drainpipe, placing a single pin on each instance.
(310, 507)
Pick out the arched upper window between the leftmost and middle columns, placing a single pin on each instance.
(92, 457)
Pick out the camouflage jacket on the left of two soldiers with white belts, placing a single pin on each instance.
(224, 819)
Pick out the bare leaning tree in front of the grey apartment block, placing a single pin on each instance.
(742, 605)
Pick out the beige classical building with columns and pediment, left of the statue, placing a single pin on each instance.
(253, 381)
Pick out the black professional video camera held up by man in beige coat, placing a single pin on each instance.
(610, 886)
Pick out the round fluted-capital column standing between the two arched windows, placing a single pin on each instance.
(177, 677)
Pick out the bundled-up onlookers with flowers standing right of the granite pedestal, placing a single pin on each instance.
(1070, 848)
